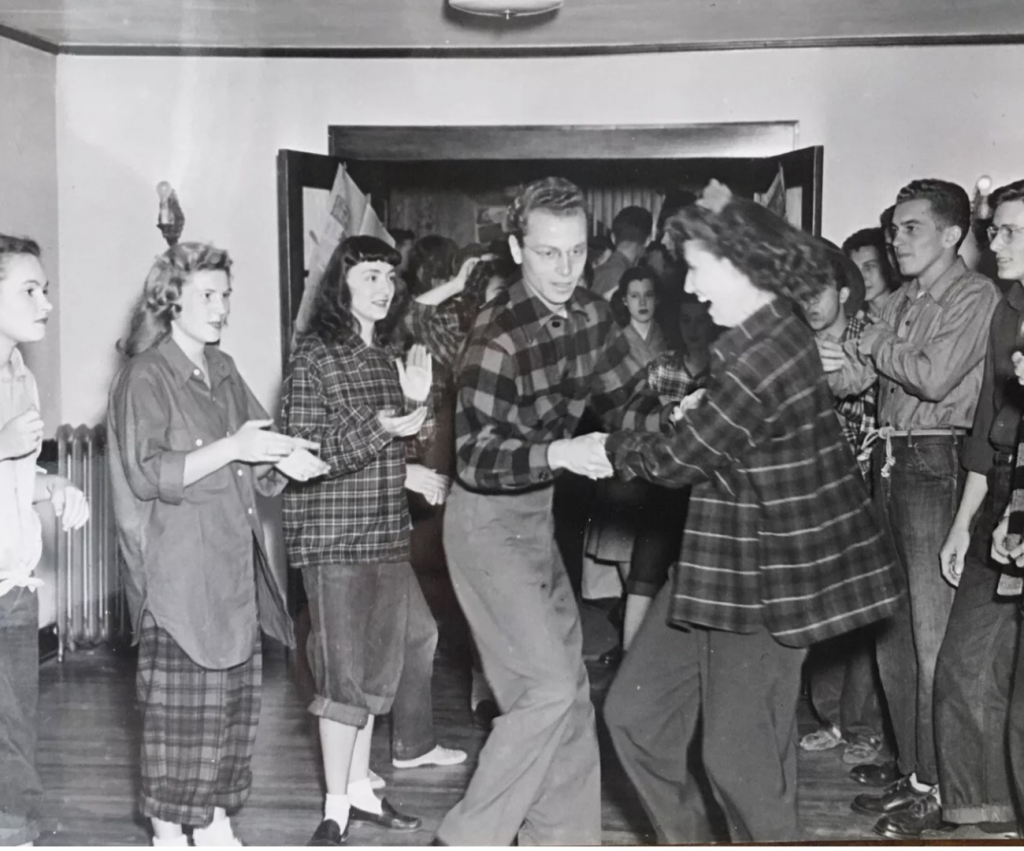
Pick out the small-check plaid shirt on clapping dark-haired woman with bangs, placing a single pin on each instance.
(358, 514)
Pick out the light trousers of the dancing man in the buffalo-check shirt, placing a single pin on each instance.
(539, 775)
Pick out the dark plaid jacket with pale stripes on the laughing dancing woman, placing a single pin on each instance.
(780, 532)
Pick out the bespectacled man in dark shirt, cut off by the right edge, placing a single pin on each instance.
(975, 668)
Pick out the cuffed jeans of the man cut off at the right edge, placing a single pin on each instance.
(973, 680)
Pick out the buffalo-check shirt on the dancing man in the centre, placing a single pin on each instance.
(526, 378)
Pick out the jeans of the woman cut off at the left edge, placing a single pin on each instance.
(21, 789)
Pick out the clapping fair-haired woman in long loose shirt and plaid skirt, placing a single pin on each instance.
(190, 448)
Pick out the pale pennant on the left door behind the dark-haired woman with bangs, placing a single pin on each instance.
(348, 214)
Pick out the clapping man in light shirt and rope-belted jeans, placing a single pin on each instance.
(927, 353)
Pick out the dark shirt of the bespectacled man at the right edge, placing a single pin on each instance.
(1001, 404)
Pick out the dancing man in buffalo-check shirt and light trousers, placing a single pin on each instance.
(539, 354)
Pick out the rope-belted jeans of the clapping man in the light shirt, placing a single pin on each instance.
(917, 504)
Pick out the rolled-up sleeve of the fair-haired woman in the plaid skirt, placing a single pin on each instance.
(143, 414)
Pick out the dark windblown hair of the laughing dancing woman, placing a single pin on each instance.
(771, 252)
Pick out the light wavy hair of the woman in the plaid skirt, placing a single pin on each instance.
(160, 303)
